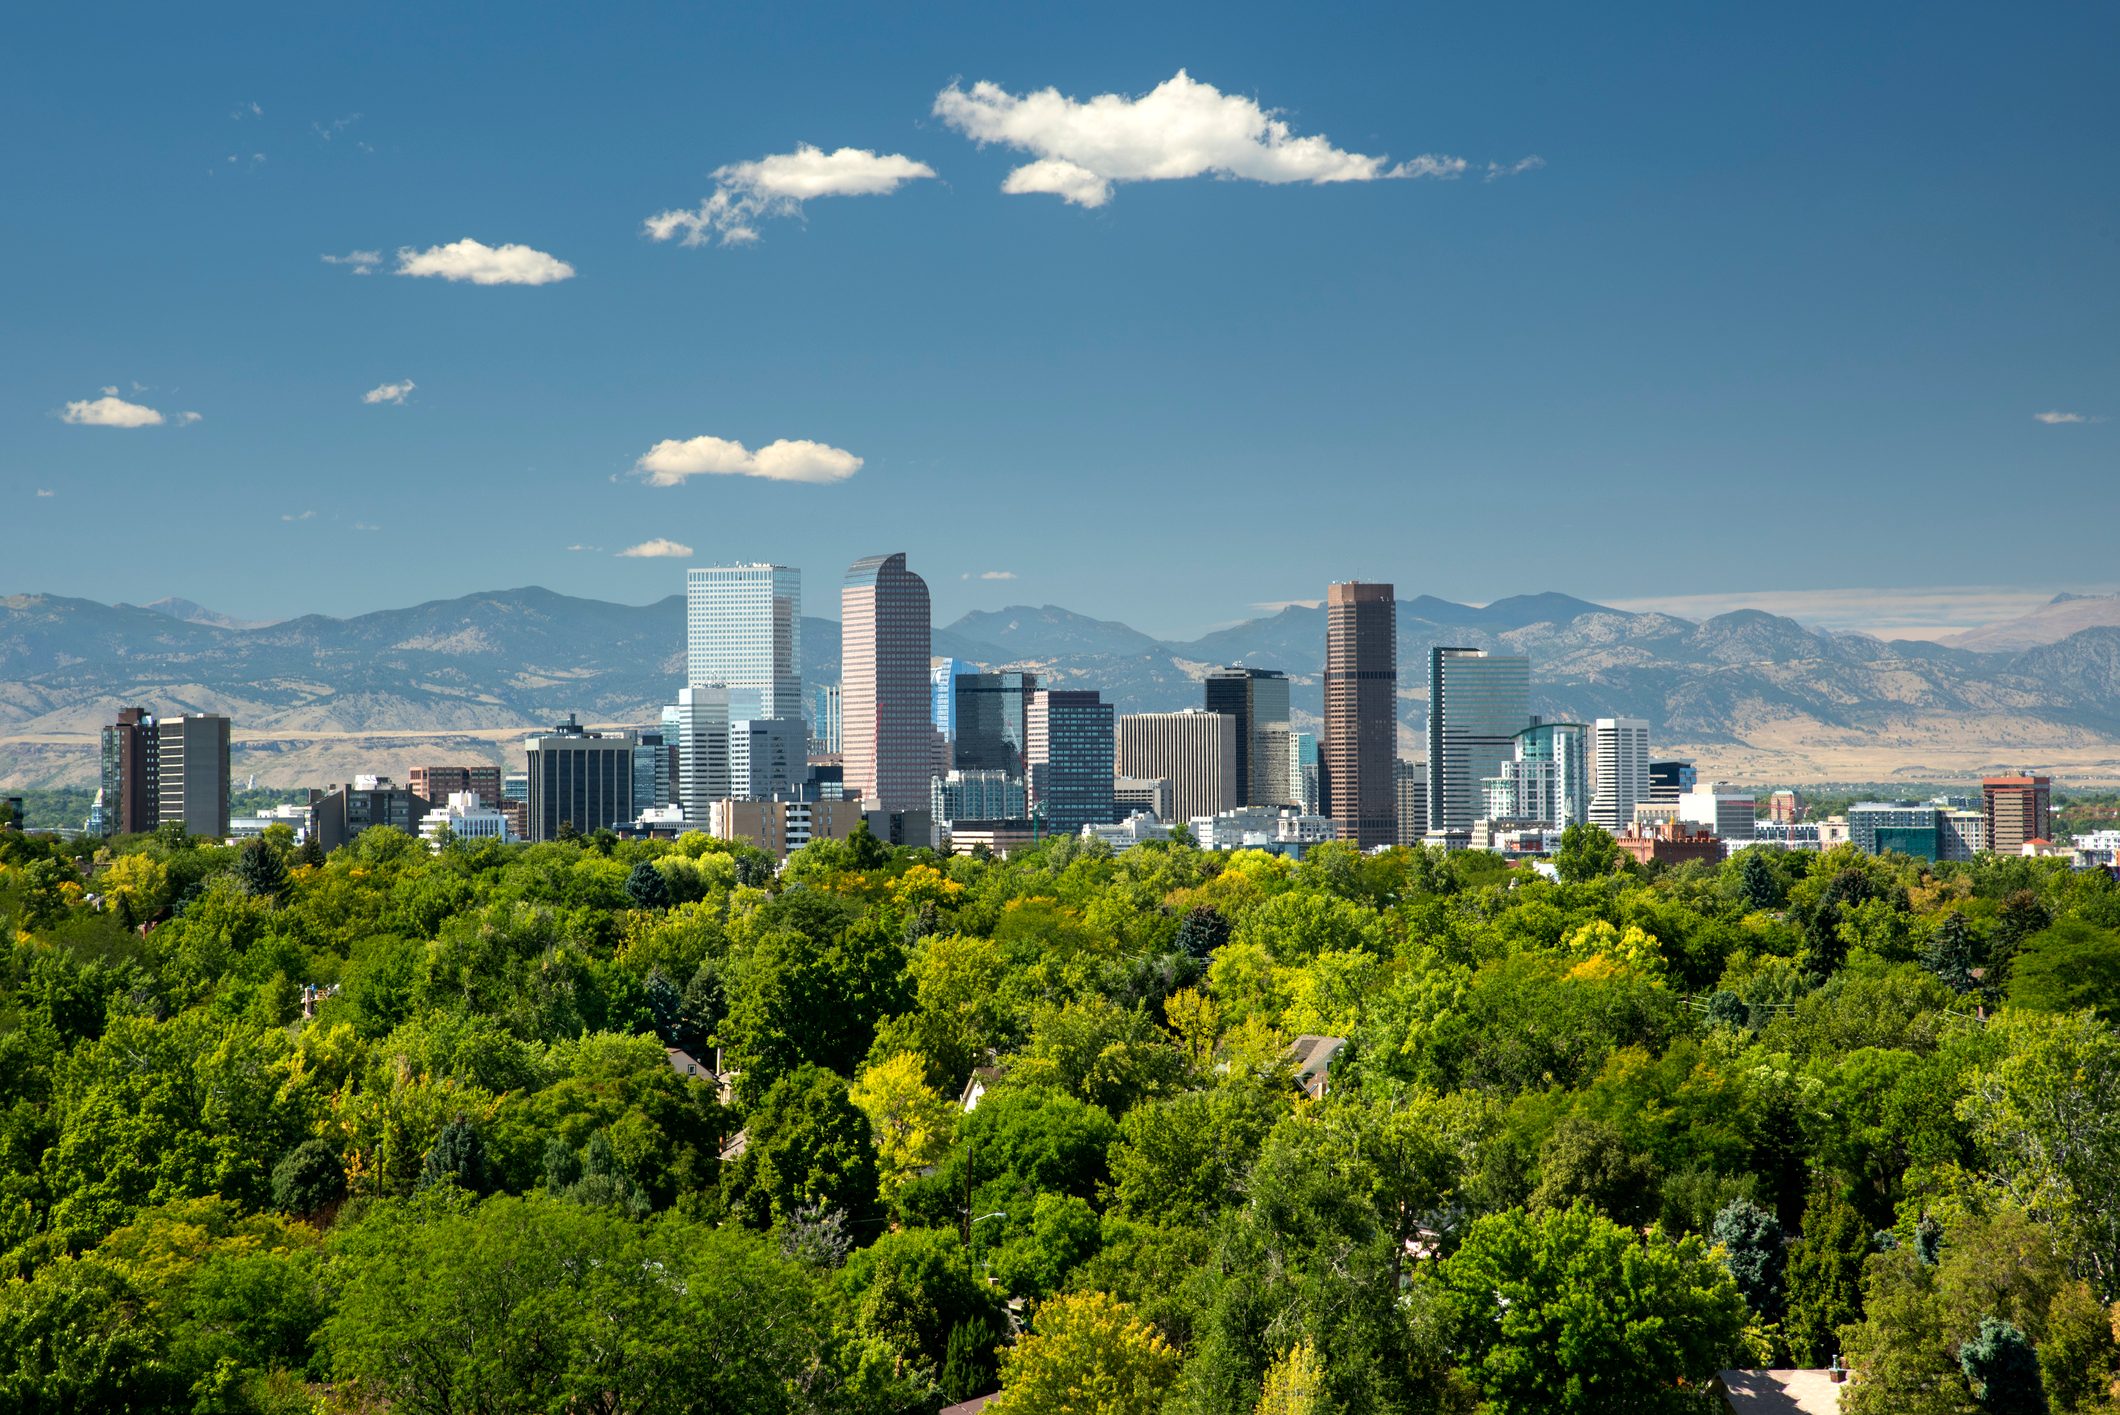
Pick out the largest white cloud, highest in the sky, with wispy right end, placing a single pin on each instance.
(1182, 128)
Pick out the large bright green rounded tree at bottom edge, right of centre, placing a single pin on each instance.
(1566, 1312)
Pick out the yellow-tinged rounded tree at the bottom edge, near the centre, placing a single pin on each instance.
(1089, 1355)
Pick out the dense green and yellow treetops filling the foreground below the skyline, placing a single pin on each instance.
(404, 1132)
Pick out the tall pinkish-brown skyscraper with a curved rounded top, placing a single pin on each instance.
(885, 688)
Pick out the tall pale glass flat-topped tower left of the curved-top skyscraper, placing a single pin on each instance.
(743, 631)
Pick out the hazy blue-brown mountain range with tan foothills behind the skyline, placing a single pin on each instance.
(1752, 695)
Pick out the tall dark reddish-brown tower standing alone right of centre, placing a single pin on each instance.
(1362, 714)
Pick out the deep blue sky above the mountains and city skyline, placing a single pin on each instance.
(1775, 311)
